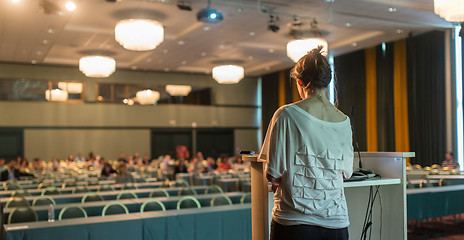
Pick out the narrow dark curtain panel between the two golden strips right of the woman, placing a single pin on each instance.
(385, 104)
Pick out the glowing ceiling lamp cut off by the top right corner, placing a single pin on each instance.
(450, 10)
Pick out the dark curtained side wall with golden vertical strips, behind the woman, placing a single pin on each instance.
(396, 91)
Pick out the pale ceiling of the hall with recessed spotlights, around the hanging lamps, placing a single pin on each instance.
(191, 46)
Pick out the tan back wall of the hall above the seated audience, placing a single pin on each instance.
(53, 129)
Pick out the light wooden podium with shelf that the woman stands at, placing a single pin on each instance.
(389, 219)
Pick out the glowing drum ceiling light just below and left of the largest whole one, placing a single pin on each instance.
(97, 66)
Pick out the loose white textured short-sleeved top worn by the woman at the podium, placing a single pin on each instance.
(310, 155)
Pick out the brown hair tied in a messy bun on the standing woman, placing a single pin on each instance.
(313, 70)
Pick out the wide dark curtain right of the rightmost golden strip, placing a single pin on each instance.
(426, 97)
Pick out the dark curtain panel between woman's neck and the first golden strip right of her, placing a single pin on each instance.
(350, 75)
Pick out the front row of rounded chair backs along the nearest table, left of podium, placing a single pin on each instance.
(27, 214)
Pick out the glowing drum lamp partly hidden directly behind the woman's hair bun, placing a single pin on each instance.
(299, 47)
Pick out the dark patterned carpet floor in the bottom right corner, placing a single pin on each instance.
(448, 228)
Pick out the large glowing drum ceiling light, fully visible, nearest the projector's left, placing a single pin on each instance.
(139, 34)
